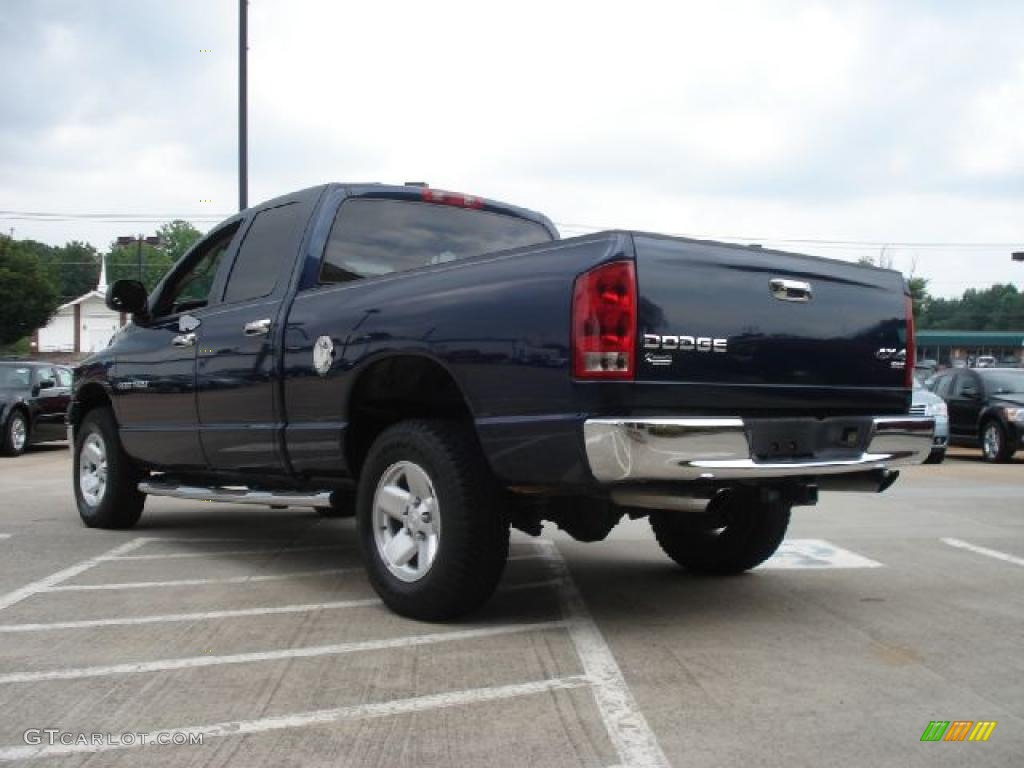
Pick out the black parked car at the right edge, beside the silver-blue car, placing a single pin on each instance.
(987, 409)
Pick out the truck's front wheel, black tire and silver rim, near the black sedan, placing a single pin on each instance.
(118, 504)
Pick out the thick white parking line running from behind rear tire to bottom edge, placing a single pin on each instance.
(632, 738)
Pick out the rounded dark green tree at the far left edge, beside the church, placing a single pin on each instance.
(28, 297)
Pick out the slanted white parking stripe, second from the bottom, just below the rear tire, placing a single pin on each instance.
(275, 656)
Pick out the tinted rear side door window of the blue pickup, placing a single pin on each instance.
(271, 244)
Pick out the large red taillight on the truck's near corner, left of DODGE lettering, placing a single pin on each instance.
(605, 321)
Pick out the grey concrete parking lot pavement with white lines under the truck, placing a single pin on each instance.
(257, 629)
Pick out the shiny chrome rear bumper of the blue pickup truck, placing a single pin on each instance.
(719, 449)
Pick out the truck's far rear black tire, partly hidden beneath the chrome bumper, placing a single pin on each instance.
(738, 533)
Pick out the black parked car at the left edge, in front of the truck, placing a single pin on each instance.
(34, 399)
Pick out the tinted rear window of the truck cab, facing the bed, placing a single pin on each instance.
(380, 237)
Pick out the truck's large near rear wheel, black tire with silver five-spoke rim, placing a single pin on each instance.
(472, 519)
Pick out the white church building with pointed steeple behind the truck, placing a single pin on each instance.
(81, 326)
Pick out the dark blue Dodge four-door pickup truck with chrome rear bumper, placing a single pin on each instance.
(446, 368)
